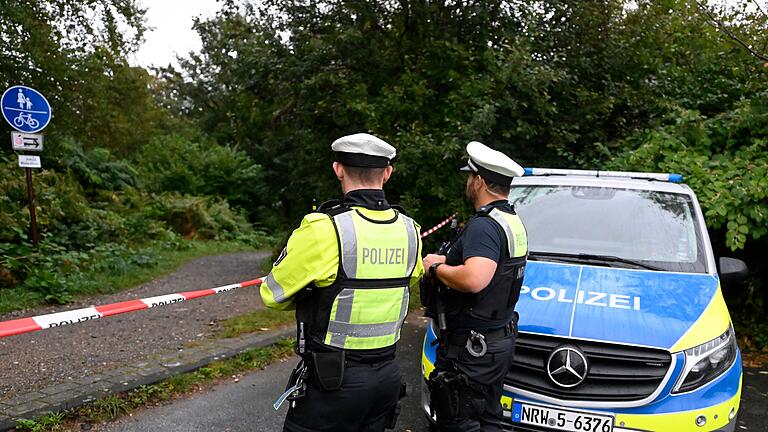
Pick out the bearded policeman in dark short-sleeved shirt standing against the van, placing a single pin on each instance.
(483, 271)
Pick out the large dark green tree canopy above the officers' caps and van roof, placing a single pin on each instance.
(556, 83)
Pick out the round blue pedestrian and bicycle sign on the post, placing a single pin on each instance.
(26, 109)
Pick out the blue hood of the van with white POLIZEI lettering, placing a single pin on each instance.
(639, 307)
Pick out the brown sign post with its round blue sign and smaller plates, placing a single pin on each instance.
(27, 111)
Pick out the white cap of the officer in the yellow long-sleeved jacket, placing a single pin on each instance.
(363, 150)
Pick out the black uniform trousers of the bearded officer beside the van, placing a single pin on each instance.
(488, 372)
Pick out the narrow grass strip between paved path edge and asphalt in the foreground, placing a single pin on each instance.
(112, 407)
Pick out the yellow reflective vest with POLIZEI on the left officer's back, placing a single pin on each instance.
(366, 306)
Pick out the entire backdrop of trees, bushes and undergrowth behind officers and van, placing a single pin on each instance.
(232, 144)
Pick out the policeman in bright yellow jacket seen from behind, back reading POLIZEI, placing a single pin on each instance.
(347, 270)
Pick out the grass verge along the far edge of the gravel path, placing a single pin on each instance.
(126, 274)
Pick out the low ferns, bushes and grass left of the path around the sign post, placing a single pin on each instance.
(109, 224)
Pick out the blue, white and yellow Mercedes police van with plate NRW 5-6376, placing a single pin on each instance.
(623, 326)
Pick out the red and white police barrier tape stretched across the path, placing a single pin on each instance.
(42, 322)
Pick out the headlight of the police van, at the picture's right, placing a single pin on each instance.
(707, 361)
